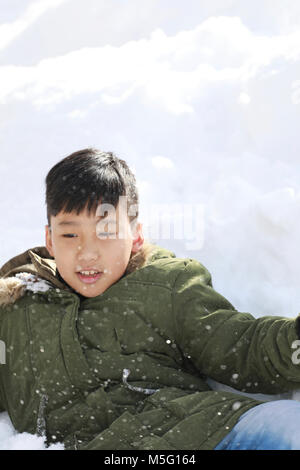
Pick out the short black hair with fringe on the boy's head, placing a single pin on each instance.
(85, 178)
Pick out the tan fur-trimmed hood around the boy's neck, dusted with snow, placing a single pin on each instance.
(35, 269)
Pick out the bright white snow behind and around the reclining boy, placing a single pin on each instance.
(202, 99)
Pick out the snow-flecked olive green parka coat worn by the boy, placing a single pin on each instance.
(127, 369)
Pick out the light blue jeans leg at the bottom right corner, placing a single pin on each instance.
(273, 425)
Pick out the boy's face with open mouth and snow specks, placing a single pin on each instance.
(82, 242)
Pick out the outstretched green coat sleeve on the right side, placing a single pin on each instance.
(254, 355)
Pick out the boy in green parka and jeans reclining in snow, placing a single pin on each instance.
(109, 340)
